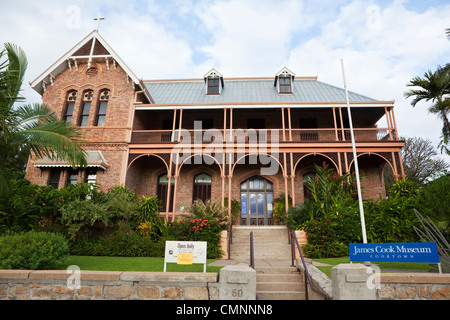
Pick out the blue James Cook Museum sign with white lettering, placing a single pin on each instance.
(394, 252)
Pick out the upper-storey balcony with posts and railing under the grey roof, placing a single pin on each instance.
(307, 126)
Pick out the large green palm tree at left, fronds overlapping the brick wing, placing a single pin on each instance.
(30, 128)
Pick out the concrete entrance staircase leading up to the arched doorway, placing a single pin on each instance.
(276, 279)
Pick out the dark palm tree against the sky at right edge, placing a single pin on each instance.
(434, 86)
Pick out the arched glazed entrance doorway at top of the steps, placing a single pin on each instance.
(256, 202)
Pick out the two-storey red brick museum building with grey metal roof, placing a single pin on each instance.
(214, 137)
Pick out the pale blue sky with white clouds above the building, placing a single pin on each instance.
(383, 44)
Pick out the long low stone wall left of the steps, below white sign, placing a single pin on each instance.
(107, 285)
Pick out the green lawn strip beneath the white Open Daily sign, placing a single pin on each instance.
(150, 264)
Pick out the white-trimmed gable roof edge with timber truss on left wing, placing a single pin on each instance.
(93, 46)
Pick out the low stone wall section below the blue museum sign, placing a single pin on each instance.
(414, 286)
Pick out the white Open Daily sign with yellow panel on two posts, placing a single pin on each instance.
(185, 252)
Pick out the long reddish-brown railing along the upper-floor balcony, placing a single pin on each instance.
(263, 135)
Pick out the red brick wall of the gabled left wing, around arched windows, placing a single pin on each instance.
(112, 138)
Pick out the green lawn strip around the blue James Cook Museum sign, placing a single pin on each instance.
(384, 266)
